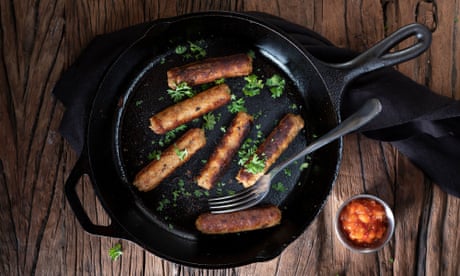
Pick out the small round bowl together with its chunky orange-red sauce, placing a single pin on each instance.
(364, 223)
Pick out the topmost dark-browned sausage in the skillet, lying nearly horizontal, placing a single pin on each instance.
(210, 69)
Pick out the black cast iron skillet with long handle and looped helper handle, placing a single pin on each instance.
(118, 140)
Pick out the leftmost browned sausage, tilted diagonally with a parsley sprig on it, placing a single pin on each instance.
(157, 170)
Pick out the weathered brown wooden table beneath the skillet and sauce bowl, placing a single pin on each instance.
(39, 233)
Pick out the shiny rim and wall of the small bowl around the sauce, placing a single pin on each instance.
(342, 236)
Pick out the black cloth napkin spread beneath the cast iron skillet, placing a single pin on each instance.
(422, 125)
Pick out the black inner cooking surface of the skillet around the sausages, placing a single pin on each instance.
(177, 201)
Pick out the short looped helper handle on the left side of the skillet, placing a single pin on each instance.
(111, 230)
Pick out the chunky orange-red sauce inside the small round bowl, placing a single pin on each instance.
(364, 222)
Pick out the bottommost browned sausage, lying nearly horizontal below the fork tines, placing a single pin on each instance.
(246, 220)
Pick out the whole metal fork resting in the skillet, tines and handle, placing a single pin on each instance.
(254, 194)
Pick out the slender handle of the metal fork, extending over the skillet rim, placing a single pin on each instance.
(367, 112)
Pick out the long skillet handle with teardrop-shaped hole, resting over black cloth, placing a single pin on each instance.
(380, 55)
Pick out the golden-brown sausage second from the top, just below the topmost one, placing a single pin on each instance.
(189, 109)
